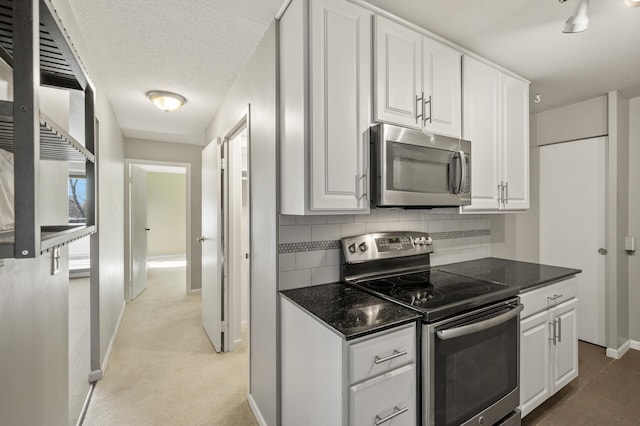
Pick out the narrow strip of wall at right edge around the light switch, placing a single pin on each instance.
(634, 218)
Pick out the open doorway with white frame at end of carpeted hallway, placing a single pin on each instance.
(158, 220)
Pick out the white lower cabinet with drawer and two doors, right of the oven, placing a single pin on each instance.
(548, 342)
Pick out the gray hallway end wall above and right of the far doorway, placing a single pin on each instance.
(138, 149)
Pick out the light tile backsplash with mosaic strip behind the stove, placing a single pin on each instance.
(309, 249)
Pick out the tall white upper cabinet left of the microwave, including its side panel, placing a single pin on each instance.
(325, 87)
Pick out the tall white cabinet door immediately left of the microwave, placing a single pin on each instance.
(340, 76)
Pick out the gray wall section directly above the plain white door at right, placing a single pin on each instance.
(581, 120)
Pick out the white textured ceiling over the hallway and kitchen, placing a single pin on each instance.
(198, 47)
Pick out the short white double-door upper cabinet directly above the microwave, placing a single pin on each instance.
(417, 80)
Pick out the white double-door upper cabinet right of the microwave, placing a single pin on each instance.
(496, 121)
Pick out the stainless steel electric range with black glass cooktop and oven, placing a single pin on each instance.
(470, 328)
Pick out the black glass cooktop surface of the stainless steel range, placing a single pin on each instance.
(437, 294)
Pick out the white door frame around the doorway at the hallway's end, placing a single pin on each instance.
(128, 162)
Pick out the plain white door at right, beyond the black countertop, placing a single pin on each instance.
(572, 223)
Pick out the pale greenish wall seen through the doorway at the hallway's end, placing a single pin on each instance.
(166, 213)
